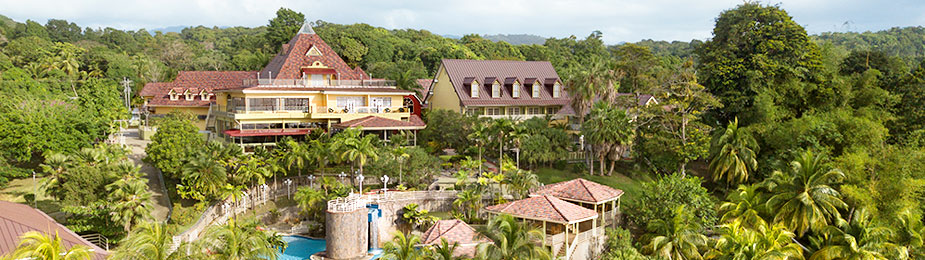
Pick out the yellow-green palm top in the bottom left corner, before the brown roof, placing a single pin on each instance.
(35, 245)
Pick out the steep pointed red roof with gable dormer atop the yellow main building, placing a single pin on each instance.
(292, 57)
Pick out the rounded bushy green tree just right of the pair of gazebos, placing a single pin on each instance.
(658, 200)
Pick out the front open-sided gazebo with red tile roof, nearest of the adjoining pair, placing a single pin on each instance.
(564, 223)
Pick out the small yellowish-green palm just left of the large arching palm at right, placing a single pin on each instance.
(746, 205)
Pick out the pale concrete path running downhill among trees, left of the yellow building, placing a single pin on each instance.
(137, 147)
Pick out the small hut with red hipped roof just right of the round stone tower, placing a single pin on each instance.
(454, 231)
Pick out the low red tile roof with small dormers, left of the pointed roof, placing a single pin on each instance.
(194, 81)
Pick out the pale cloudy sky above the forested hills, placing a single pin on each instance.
(619, 20)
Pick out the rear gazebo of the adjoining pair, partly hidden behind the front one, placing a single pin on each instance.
(598, 197)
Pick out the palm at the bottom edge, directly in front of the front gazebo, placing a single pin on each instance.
(512, 240)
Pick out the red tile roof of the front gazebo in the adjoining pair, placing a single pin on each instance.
(546, 208)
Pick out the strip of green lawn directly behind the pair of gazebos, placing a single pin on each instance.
(629, 186)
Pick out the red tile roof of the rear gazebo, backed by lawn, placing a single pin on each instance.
(579, 190)
